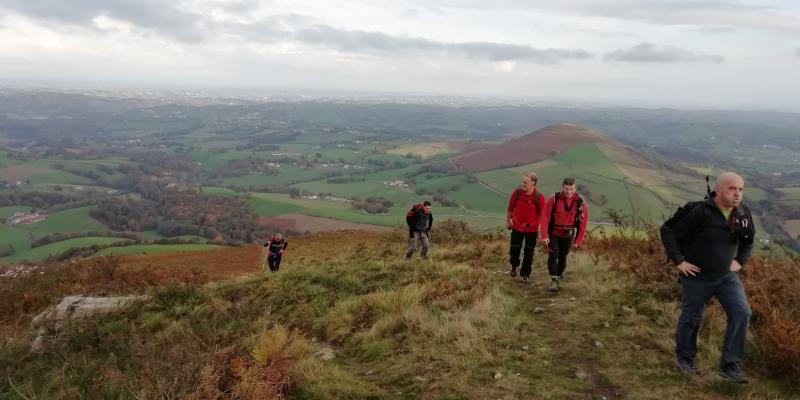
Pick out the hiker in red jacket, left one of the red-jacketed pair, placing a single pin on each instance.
(524, 212)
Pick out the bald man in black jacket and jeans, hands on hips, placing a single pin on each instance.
(708, 246)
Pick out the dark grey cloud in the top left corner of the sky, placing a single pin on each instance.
(154, 15)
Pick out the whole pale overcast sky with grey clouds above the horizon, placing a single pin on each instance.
(673, 53)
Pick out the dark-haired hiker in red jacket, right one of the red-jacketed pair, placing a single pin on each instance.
(563, 225)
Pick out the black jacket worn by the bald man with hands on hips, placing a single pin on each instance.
(712, 243)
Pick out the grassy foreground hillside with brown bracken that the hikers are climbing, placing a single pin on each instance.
(454, 327)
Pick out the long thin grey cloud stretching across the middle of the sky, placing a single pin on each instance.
(376, 42)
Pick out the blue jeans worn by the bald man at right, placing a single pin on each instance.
(694, 295)
